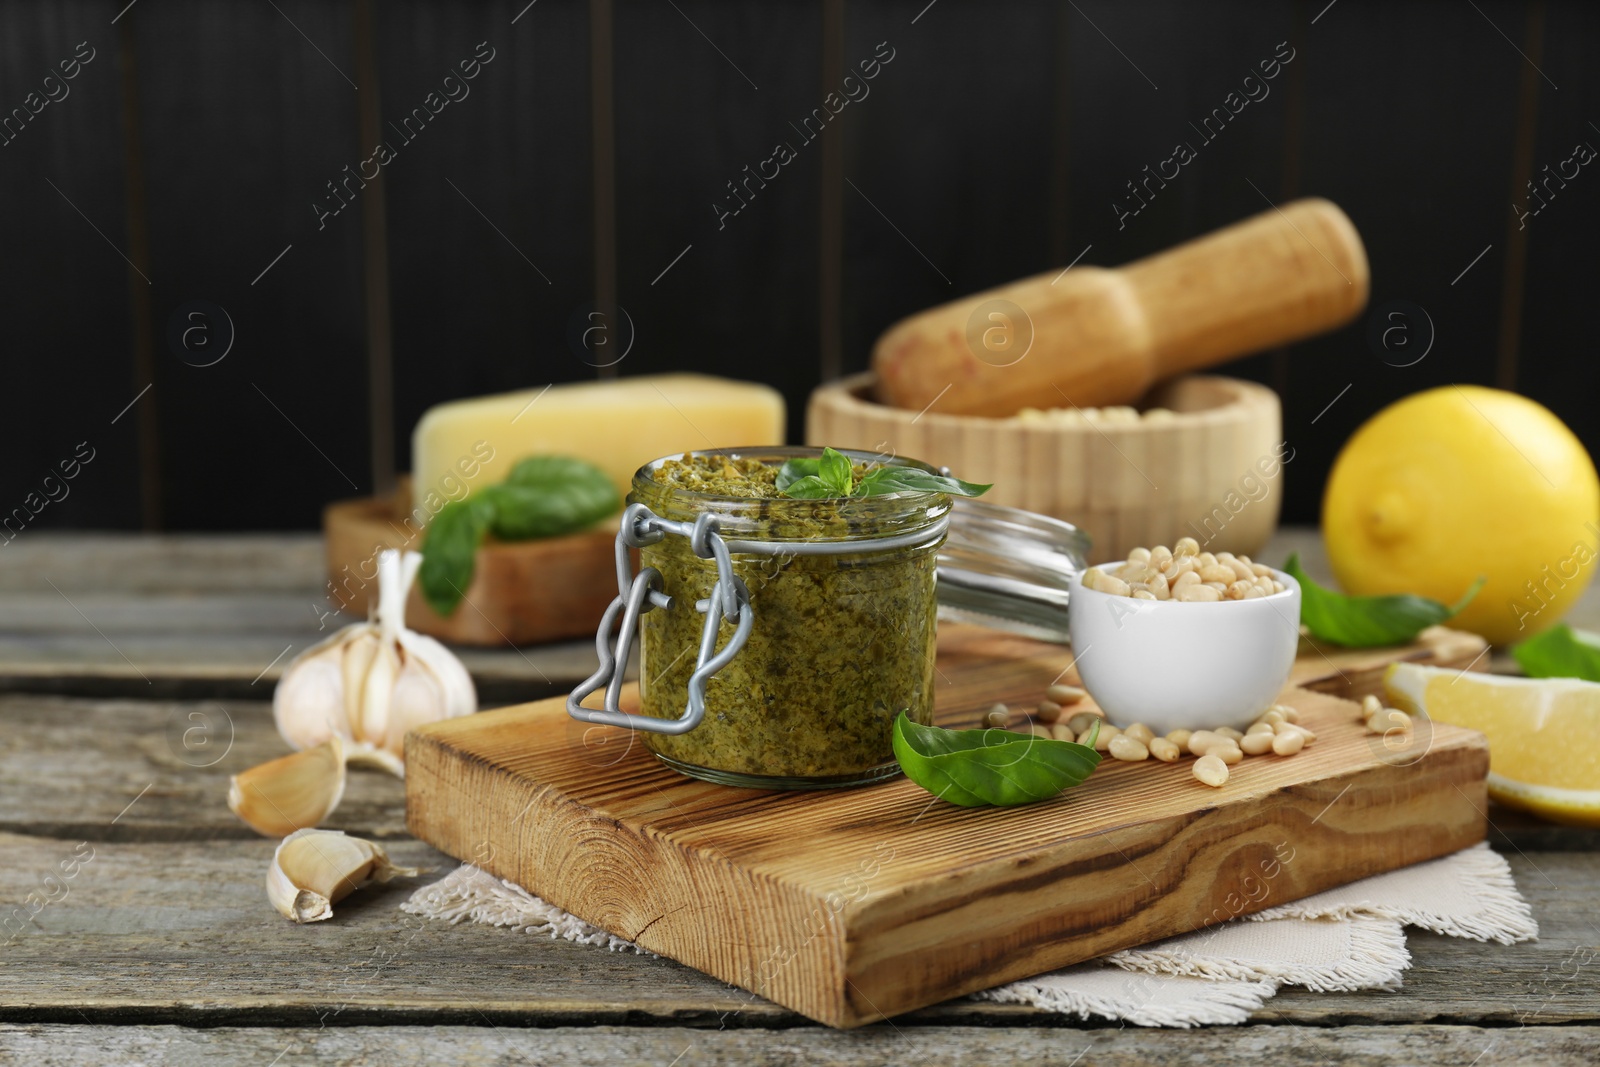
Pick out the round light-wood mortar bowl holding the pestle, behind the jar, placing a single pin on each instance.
(1138, 484)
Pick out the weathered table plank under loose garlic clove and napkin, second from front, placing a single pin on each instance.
(182, 933)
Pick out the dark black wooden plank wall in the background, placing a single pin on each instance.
(185, 159)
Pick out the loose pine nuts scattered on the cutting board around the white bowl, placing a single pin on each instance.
(1276, 732)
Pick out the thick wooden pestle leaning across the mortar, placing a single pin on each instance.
(1095, 337)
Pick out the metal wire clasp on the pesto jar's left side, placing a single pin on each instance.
(638, 594)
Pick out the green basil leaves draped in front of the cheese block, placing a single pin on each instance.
(545, 497)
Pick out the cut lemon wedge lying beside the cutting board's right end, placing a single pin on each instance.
(1545, 733)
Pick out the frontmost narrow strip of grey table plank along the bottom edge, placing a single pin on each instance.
(876, 1047)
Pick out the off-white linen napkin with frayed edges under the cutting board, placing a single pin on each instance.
(1343, 940)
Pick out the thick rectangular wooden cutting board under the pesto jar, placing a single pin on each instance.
(858, 905)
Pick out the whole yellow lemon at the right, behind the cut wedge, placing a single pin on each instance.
(1458, 482)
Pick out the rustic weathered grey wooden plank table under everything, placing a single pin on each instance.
(135, 677)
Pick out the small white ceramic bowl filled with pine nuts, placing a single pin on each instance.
(1183, 666)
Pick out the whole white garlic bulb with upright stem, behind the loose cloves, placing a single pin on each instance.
(375, 681)
